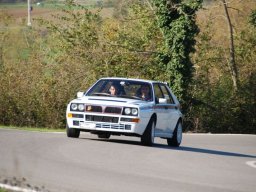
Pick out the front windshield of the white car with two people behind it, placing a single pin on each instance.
(122, 88)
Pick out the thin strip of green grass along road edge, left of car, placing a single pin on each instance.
(37, 129)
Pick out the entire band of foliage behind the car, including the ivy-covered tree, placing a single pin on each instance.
(41, 68)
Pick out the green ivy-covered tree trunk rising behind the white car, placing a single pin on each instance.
(176, 19)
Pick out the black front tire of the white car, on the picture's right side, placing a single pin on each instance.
(148, 136)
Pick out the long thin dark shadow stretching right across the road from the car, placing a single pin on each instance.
(205, 151)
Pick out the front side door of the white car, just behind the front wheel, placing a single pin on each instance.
(161, 110)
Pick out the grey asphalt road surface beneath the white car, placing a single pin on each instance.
(53, 162)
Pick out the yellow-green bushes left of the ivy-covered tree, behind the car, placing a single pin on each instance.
(67, 53)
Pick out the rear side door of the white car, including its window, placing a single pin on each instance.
(171, 109)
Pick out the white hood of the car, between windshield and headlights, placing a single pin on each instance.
(113, 101)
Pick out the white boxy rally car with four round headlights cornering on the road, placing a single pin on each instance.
(131, 107)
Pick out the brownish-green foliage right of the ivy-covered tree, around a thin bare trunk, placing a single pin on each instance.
(215, 107)
